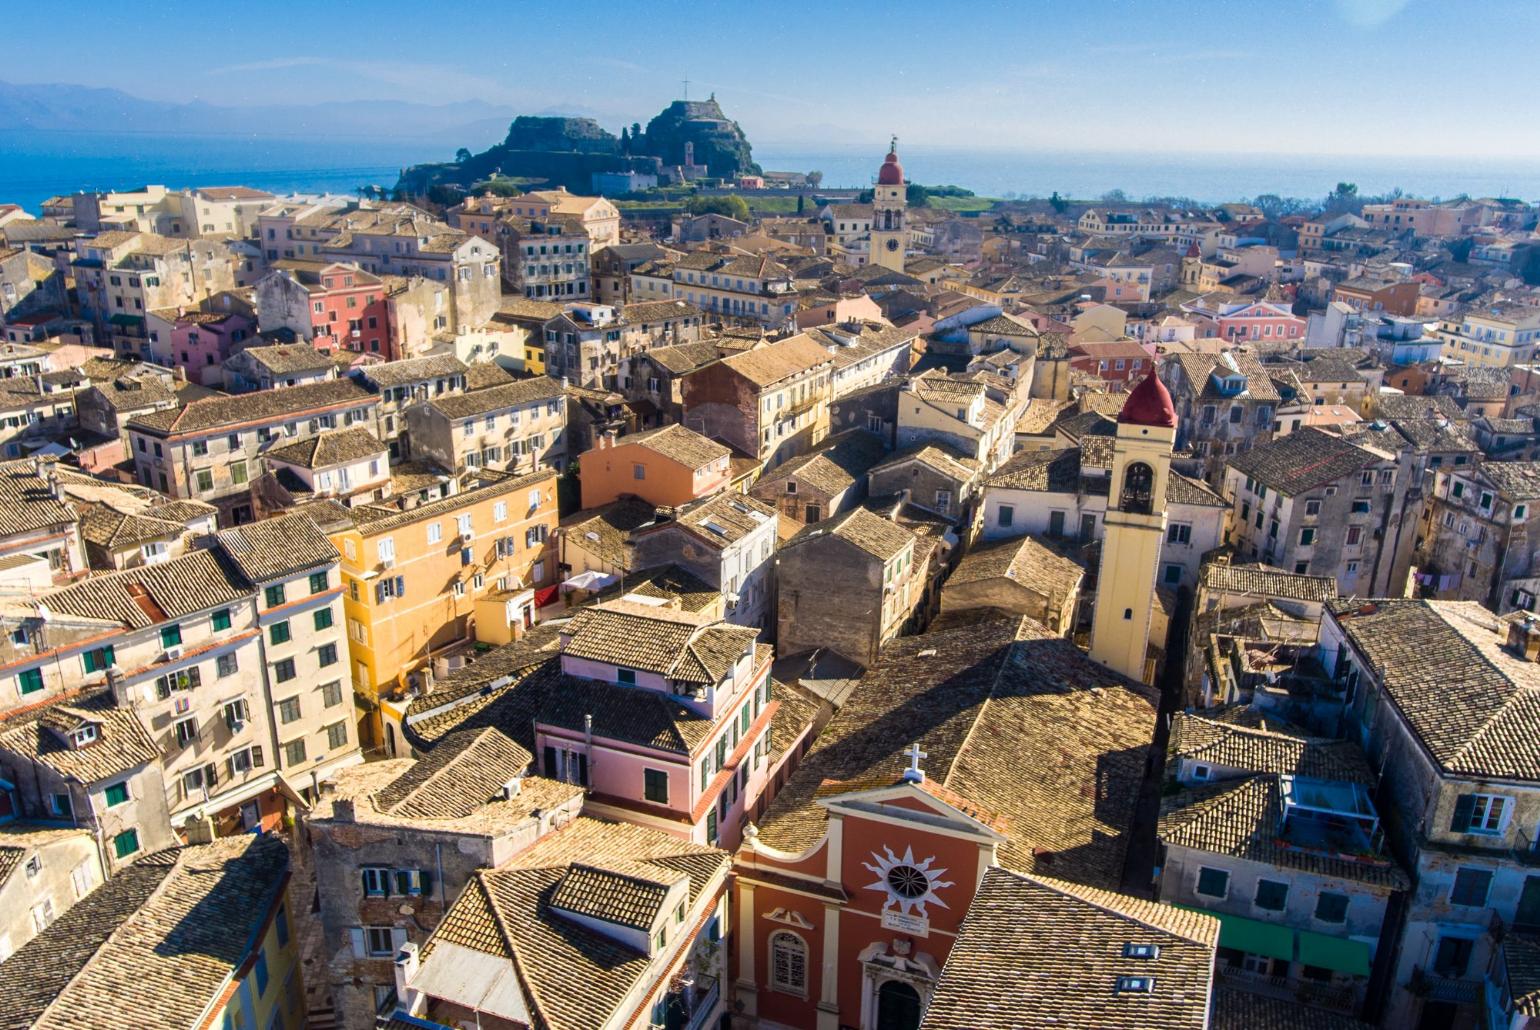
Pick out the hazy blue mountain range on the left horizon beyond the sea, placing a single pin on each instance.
(62, 107)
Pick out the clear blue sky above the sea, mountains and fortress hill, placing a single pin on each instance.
(1410, 78)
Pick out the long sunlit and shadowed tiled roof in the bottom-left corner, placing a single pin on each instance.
(169, 940)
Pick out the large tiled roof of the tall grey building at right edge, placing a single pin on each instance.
(1473, 706)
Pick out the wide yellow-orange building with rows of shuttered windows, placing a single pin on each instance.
(413, 575)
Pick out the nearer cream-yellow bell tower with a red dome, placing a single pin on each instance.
(1136, 529)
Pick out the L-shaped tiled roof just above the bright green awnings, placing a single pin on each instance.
(1240, 818)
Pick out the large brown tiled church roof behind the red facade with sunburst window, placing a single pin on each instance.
(977, 695)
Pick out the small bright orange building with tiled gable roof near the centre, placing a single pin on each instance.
(669, 467)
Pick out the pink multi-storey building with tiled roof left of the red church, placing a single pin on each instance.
(665, 717)
